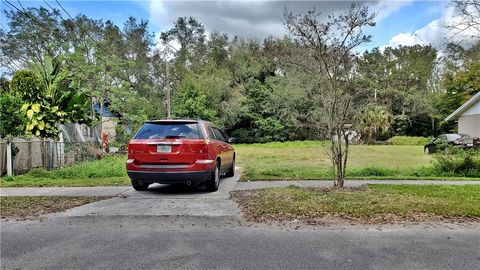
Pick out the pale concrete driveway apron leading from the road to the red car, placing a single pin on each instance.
(165, 200)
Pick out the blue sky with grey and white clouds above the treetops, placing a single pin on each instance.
(399, 22)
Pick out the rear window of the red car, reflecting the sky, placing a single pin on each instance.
(168, 131)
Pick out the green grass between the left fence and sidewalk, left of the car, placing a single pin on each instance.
(109, 171)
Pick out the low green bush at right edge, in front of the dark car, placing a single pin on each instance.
(458, 161)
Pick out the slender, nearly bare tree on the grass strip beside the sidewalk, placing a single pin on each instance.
(330, 46)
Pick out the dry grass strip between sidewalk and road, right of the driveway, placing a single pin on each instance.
(372, 203)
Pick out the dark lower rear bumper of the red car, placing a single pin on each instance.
(180, 177)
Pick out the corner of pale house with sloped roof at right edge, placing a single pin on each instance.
(468, 117)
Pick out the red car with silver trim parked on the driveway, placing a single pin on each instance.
(179, 151)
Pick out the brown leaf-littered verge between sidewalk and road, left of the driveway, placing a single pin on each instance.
(31, 207)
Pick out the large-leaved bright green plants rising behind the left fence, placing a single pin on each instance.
(50, 98)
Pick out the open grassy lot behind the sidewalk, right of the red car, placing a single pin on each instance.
(308, 160)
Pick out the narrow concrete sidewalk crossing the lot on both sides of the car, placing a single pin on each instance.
(127, 190)
